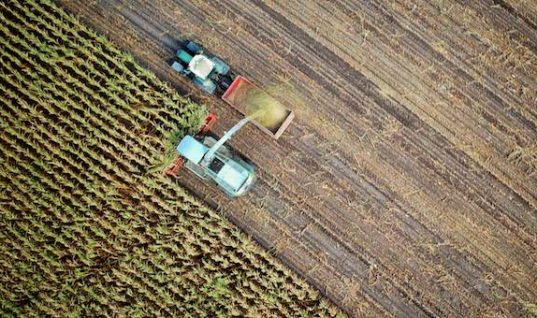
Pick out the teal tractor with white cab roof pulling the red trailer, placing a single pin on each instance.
(207, 71)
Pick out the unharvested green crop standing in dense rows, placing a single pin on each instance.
(86, 227)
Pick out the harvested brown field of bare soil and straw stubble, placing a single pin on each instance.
(393, 190)
